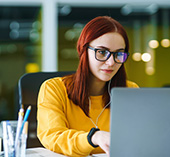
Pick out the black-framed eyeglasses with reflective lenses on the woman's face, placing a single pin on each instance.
(103, 55)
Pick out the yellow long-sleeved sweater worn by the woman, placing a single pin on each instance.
(62, 126)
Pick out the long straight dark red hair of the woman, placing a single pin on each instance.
(77, 84)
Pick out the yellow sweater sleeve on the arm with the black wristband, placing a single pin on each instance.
(53, 128)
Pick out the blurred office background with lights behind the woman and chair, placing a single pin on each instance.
(32, 41)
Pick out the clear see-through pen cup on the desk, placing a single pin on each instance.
(14, 147)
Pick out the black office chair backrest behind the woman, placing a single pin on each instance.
(28, 88)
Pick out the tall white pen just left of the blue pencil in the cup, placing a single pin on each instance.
(20, 119)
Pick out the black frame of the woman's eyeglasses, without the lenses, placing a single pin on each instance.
(110, 53)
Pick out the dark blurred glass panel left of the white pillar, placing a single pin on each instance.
(20, 51)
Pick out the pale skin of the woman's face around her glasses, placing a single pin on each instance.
(104, 71)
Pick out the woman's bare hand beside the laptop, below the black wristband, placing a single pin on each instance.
(102, 138)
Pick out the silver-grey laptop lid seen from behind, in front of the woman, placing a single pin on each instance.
(140, 122)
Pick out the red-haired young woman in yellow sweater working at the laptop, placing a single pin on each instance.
(74, 111)
